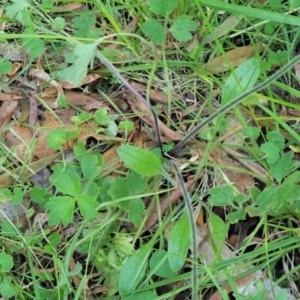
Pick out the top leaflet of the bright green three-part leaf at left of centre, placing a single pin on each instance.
(67, 185)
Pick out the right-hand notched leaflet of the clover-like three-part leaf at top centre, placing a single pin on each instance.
(182, 27)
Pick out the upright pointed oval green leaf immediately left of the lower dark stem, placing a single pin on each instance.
(179, 243)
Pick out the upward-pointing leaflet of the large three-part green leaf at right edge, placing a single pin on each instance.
(283, 166)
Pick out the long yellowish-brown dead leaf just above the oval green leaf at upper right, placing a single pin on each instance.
(232, 58)
